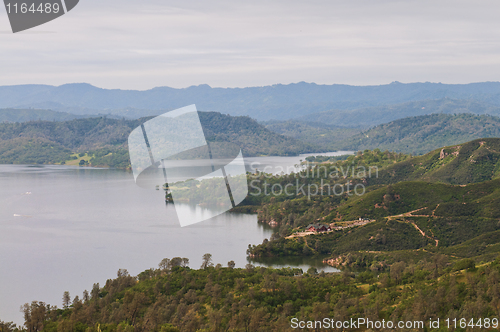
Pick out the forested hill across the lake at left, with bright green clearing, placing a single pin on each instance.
(103, 141)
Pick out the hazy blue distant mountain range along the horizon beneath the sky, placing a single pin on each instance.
(280, 102)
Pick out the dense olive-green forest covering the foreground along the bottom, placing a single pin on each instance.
(173, 297)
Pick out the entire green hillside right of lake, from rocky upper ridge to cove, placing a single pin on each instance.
(442, 199)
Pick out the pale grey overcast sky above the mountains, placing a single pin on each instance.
(140, 44)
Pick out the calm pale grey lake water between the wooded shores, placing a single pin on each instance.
(63, 228)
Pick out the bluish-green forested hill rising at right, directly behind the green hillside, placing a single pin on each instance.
(421, 134)
